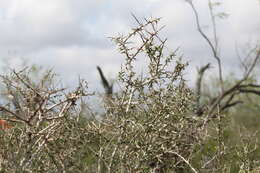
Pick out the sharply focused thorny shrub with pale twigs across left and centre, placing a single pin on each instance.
(150, 125)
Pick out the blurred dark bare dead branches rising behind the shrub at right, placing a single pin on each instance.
(226, 95)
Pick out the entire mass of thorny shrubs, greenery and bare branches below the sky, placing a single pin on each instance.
(155, 123)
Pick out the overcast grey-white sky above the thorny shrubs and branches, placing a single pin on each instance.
(71, 36)
